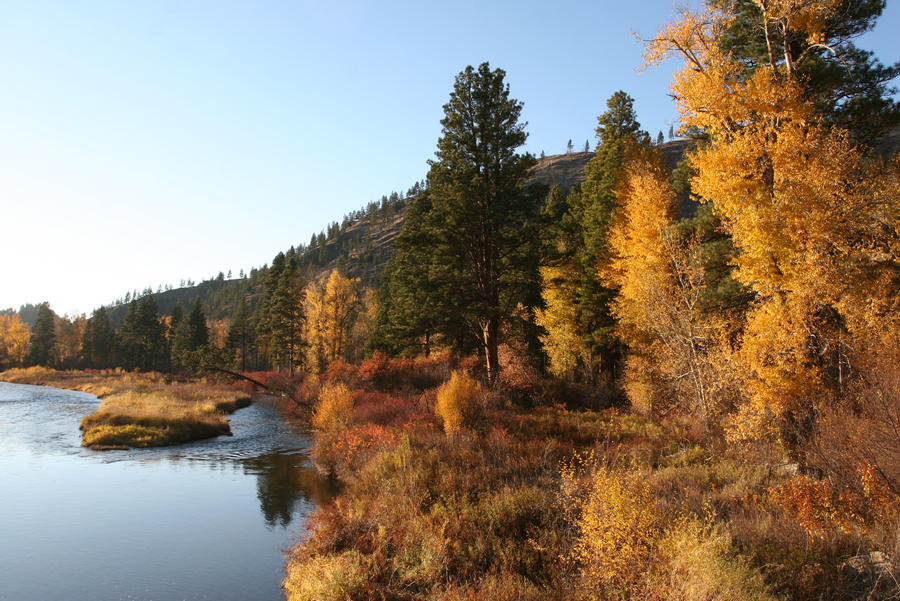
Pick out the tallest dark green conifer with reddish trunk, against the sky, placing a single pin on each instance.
(482, 218)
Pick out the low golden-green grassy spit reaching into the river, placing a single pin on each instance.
(142, 409)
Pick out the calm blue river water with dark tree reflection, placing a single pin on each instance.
(205, 520)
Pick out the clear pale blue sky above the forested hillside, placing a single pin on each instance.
(149, 141)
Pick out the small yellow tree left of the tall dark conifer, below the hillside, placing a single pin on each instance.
(330, 306)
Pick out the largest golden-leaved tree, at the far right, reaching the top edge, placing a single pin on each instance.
(813, 217)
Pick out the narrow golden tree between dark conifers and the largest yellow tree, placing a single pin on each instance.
(659, 279)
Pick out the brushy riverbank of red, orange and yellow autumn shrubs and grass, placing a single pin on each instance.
(448, 497)
